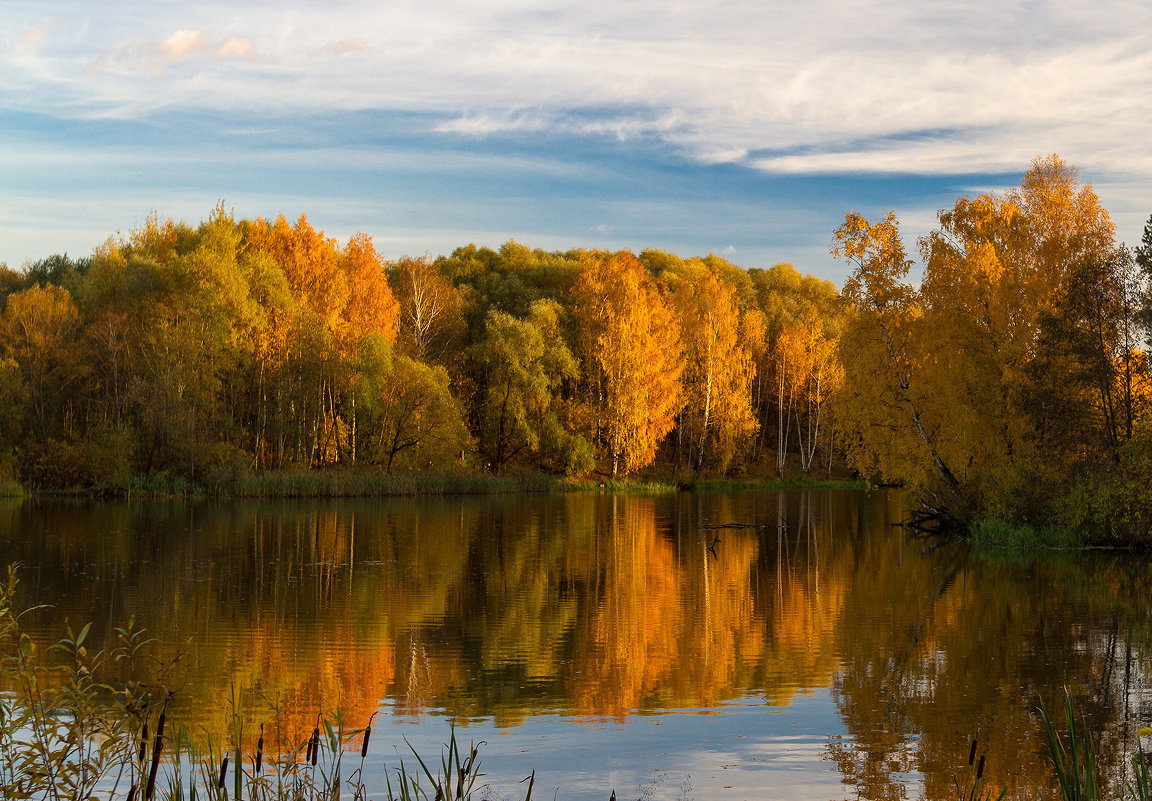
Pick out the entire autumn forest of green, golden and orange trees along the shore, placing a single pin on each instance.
(1003, 379)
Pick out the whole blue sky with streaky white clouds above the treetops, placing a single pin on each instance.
(747, 129)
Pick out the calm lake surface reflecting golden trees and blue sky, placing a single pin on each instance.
(817, 653)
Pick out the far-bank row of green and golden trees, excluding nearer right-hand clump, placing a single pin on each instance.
(198, 351)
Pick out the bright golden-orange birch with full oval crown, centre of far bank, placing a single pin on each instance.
(630, 344)
